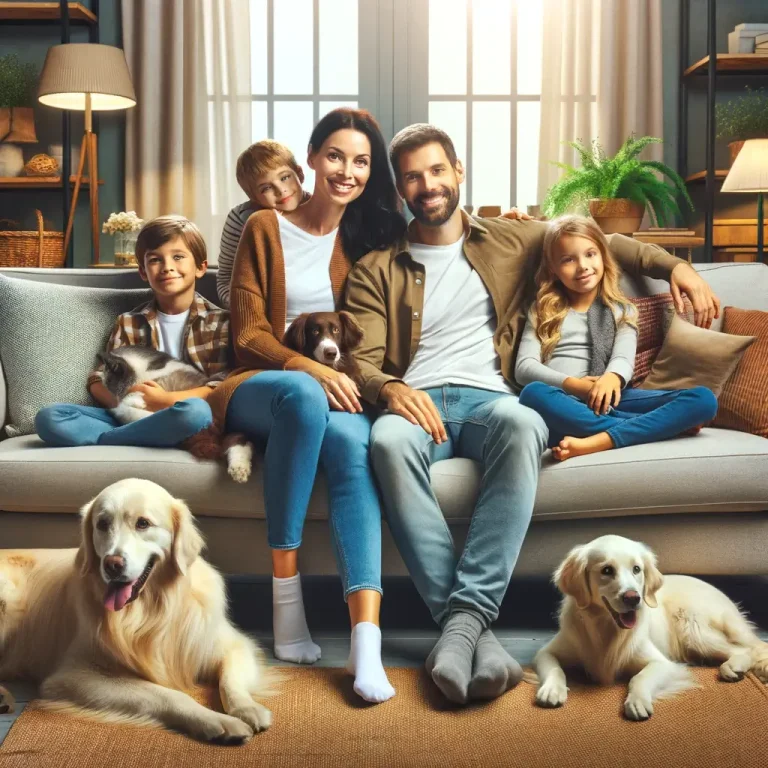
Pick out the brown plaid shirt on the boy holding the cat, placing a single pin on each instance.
(206, 331)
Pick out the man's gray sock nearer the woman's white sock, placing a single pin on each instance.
(450, 662)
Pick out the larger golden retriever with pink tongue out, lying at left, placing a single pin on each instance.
(120, 628)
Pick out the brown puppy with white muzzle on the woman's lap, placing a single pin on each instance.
(328, 337)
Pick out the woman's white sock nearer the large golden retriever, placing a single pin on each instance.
(289, 624)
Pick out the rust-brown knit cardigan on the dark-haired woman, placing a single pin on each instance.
(258, 305)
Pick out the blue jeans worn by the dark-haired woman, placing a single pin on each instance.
(288, 412)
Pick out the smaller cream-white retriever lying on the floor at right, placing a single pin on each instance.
(621, 618)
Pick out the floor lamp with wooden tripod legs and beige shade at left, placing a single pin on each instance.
(86, 77)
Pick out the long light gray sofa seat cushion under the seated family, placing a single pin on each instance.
(717, 470)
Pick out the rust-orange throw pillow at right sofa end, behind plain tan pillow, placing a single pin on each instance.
(743, 403)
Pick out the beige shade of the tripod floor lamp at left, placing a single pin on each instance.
(72, 70)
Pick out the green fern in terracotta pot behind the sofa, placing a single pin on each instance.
(616, 190)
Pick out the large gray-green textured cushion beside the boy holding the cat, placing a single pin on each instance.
(49, 337)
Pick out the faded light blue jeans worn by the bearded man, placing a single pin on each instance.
(508, 440)
